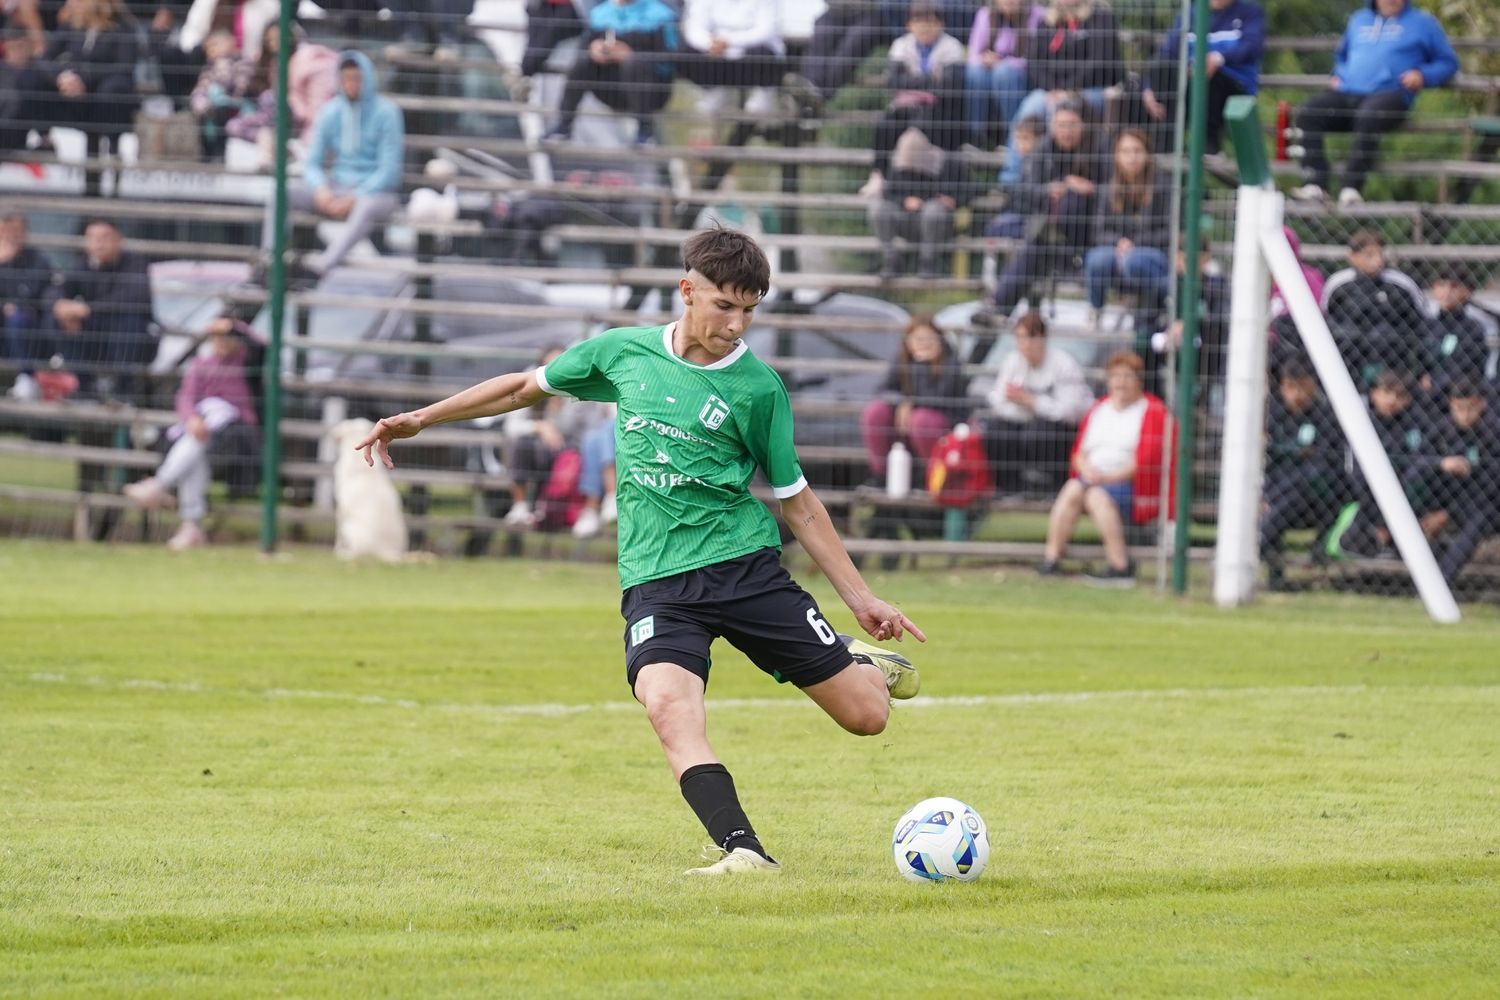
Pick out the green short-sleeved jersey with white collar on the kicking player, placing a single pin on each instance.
(688, 442)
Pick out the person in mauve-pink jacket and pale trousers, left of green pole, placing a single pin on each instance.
(214, 407)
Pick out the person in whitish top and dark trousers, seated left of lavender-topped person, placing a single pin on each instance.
(926, 76)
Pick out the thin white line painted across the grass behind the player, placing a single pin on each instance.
(923, 702)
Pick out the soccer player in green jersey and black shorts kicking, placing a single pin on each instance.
(700, 557)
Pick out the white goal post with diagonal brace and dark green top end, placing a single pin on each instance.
(1262, 253)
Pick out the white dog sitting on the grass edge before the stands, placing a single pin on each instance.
(367, 503)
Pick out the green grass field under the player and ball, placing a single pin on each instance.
(230, 776)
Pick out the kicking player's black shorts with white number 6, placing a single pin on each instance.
(752, 602)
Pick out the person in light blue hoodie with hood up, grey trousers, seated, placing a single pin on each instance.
(352, 172)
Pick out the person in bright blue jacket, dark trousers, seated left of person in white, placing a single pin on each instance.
(628, 65)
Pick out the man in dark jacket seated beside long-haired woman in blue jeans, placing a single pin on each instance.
(1058, 196)
